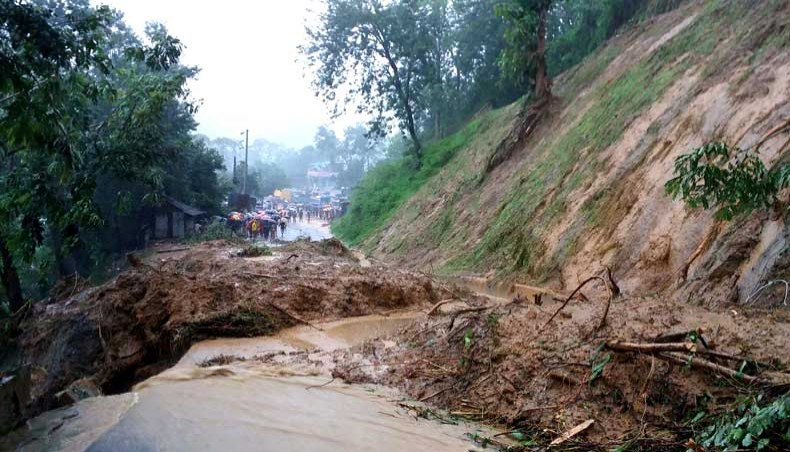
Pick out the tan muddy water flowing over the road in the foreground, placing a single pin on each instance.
(260, 405)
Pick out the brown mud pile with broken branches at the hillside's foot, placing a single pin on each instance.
(507, 365)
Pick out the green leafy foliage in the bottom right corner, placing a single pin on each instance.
(753, 425)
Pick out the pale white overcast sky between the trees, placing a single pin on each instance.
(246, 50)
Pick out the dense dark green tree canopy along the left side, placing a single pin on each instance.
(84, 101)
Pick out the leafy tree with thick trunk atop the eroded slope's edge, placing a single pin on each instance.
(524, 57)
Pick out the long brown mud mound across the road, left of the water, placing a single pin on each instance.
(107, 338)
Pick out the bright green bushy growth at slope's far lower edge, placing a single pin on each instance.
(390, 183)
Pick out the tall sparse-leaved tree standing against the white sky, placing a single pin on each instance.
(379, 53)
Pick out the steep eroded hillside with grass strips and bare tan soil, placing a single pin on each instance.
(586, 189)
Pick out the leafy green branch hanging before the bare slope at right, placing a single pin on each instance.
(734, 181)
